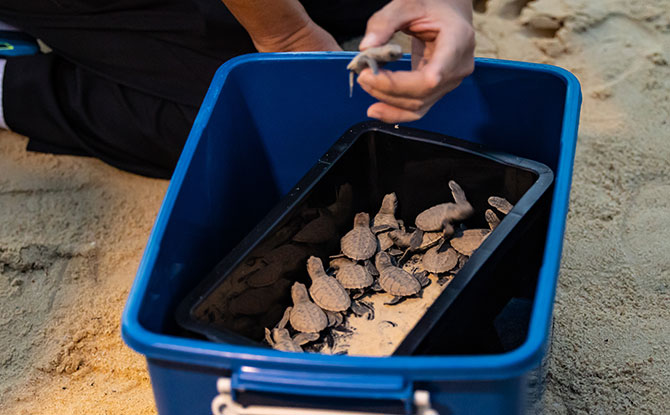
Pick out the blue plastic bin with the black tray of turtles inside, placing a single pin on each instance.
(264, 122)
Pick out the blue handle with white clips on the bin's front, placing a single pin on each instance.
(325, 385)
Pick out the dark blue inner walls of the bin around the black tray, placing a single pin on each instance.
(264, 124)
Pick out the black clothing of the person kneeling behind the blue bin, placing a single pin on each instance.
(126, 77)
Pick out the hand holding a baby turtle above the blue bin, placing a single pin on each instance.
(443, 43)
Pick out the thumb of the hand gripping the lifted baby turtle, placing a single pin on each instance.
(383, 24)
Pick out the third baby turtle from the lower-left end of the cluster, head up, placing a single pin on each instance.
(326, 292)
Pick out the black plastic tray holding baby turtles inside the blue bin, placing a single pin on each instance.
(375, 159)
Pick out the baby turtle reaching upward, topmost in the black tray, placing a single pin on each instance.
(440, 216)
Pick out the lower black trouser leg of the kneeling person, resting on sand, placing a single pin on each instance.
(65, 109)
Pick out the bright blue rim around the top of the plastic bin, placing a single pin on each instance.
(462, 367)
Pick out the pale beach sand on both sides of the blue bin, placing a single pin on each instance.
(72, 232)
